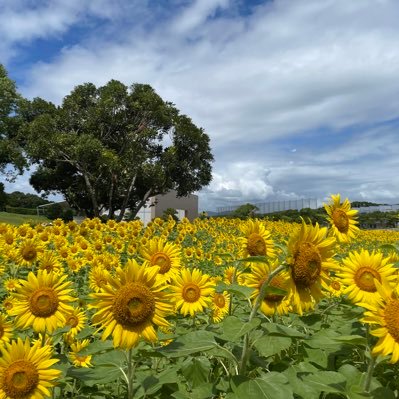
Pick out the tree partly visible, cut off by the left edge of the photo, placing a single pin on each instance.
(10, 150)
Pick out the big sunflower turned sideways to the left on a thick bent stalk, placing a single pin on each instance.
(310, 260)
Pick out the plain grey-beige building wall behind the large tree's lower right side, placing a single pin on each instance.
(185, 206)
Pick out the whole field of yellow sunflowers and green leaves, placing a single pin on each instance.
(214, 308)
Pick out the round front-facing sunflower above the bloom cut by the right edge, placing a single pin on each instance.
(360, 271)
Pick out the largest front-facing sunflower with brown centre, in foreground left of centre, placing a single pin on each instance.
(131, 304)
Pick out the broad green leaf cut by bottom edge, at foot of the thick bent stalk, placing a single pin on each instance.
(272, 386)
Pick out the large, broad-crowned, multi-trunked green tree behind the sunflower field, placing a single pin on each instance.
(112, 147)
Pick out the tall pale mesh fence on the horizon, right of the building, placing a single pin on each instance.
(275, 206)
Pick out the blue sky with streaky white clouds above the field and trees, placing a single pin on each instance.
(300, 98)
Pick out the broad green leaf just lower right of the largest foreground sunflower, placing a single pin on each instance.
(192, 342)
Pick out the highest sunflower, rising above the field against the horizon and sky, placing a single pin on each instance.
(341, 218)
